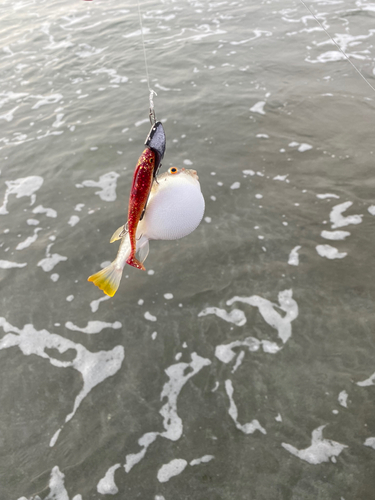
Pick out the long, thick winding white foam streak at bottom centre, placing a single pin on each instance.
(178, 374)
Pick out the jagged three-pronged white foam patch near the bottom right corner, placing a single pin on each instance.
(321, 450)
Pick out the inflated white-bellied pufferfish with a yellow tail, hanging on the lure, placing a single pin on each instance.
(175, 208)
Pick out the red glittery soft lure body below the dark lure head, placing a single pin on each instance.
(140, 190)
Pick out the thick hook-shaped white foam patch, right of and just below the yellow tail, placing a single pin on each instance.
(267, 309)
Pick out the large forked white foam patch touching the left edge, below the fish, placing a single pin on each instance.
(94, 367)
